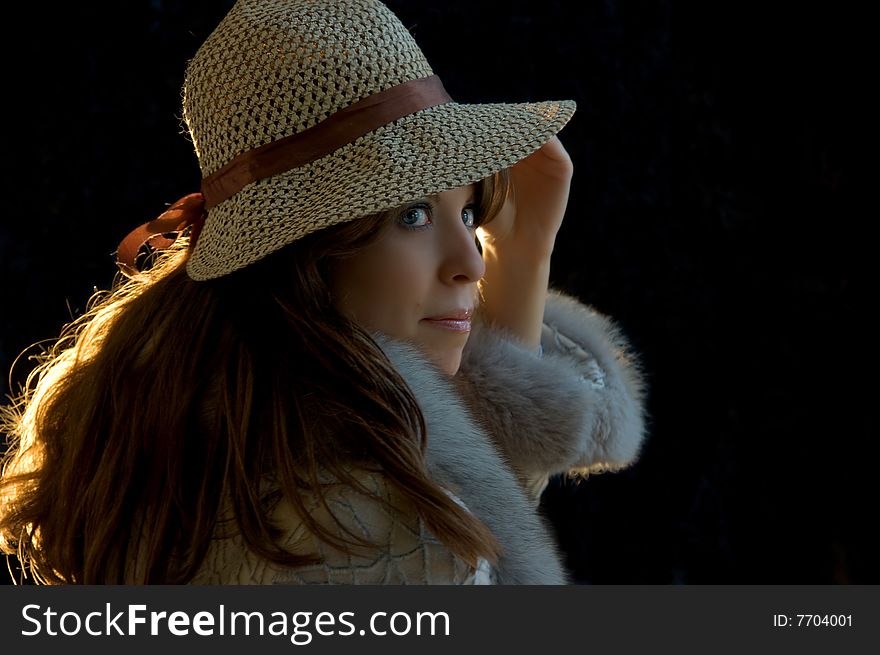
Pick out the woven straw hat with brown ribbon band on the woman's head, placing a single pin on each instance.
(308, 113)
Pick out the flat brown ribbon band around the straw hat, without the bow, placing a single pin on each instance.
(320, 140)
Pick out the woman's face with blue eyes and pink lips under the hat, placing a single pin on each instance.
(417, 281)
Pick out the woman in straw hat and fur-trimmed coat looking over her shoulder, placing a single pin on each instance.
(326, 377)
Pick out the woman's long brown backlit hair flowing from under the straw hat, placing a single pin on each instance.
(171, 397)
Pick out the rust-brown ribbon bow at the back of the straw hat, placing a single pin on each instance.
(188, 212)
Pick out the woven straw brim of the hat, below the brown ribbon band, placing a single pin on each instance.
(430, 151)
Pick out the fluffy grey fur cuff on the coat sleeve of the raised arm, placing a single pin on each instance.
(576, 407)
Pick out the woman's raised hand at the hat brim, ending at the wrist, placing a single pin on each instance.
(533, 213)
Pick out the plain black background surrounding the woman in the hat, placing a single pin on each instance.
(718, 212)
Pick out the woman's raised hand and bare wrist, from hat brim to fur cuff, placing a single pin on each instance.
(517, 243)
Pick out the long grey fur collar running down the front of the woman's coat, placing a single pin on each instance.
(462, 458)
